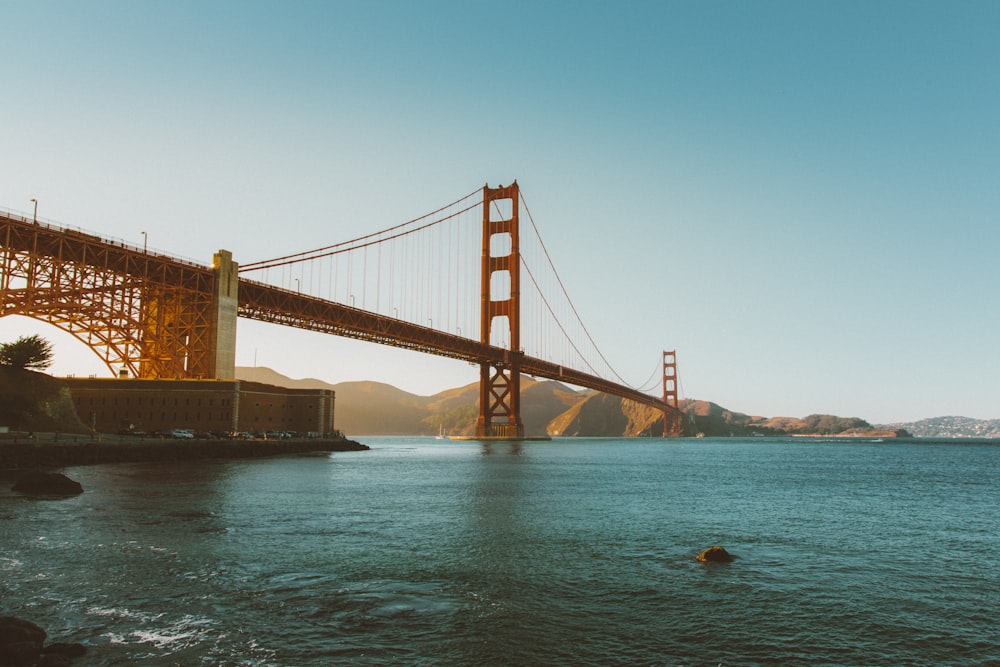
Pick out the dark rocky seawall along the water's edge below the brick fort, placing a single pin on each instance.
(22, 455)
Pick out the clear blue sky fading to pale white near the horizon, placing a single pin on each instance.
(802, 198)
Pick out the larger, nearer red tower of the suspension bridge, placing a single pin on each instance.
(500, 382)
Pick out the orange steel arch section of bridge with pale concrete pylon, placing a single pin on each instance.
(145, 314)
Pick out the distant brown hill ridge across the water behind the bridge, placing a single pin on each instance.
(552, 408)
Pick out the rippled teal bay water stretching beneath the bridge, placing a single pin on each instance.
(570, 552)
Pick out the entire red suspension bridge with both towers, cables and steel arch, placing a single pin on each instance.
(459, 282)
